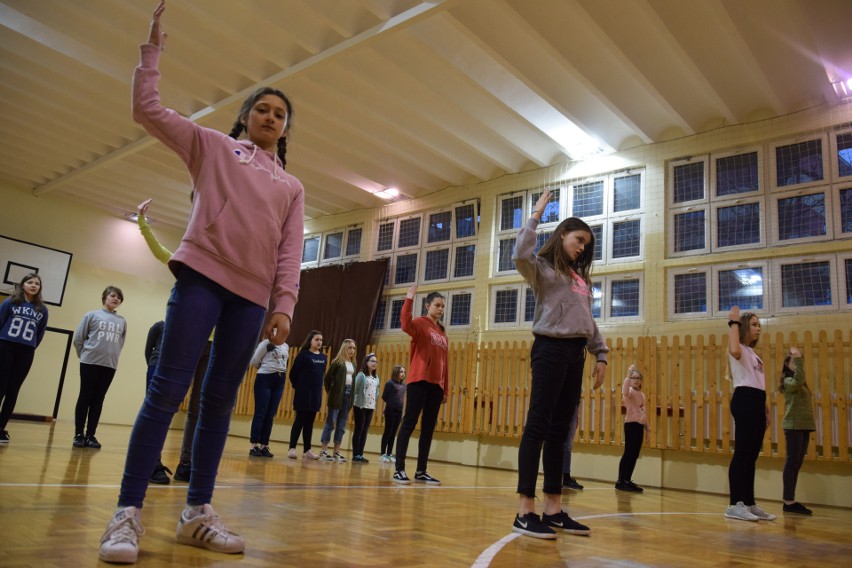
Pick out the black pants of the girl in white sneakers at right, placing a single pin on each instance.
(748, 407)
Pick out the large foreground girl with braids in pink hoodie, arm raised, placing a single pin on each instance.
(240, 256)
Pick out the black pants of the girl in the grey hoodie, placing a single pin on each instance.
(557, 375)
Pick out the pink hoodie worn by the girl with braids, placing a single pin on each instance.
(246, 226)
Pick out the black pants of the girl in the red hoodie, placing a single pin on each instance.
(426, 398)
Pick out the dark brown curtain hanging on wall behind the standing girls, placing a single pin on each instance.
(340, 301)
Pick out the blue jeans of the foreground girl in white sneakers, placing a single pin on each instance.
(196, 304)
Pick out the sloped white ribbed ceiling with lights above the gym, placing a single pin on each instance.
(397, 93)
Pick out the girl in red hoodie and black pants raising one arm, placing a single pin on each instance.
(428, 382)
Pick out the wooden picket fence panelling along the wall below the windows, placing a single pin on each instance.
(687, 387)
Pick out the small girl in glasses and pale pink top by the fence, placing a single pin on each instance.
(635, 424)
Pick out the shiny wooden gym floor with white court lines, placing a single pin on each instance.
(55, 501)
